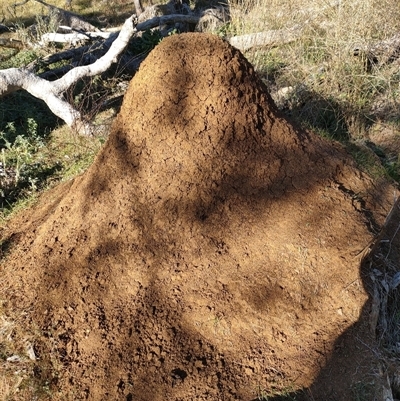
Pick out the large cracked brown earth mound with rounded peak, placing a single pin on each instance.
(212, 251)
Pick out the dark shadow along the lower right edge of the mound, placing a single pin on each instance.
(351, 352)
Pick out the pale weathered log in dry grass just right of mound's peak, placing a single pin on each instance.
(267, 38)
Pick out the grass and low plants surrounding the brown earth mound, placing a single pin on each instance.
(327, 80)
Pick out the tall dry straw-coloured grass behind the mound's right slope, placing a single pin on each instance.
(332, 90)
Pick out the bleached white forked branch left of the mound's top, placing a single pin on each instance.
(51, 93)
